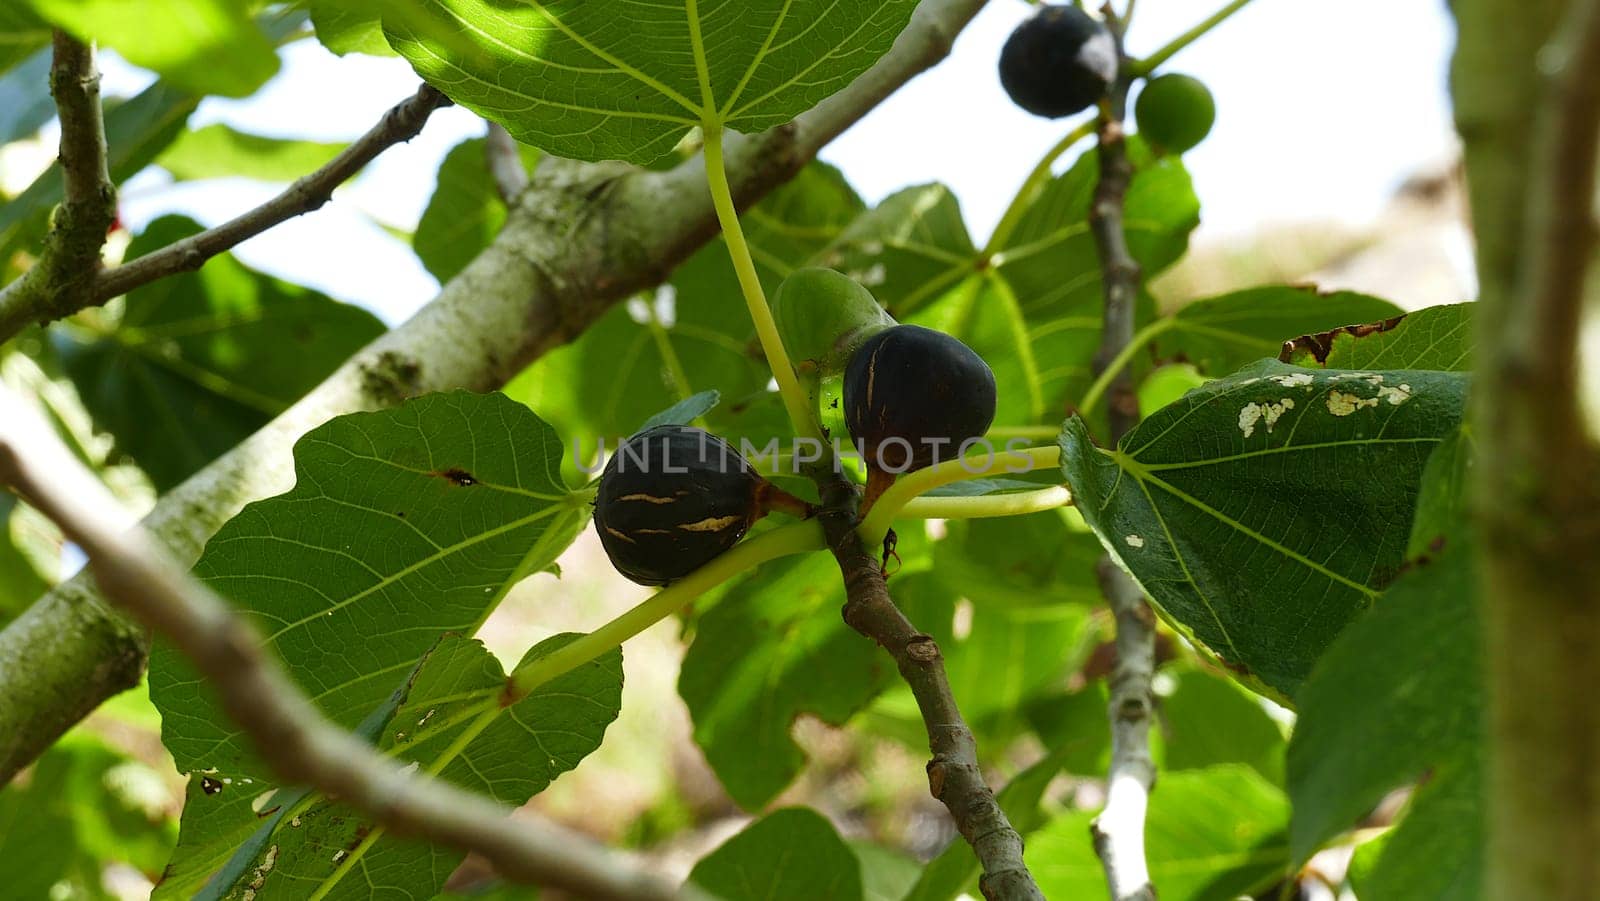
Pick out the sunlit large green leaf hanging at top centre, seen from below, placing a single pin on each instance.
(626, 79)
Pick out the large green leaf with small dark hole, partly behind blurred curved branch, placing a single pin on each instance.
(402, 526)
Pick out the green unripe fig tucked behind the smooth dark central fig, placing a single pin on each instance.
(825, 316)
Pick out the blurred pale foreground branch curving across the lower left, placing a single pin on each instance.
(289, 732)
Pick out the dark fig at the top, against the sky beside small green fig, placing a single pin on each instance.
(1058, 63)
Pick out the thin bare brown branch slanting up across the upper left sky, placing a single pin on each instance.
(55, 295)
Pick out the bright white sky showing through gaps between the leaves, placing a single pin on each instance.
(1322, 111)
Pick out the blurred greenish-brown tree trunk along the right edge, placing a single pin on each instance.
(1527, 95)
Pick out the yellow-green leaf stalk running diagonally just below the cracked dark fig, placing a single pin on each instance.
(746, 556)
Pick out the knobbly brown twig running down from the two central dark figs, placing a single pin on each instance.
(954, 777)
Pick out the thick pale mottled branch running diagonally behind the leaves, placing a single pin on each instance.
(582, 239)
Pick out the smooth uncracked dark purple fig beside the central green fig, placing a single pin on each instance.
(913, 396)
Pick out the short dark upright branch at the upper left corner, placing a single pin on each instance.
(71, 258)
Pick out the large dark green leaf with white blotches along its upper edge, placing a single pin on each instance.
(1265, 511)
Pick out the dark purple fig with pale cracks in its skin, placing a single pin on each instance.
(673, 499)
